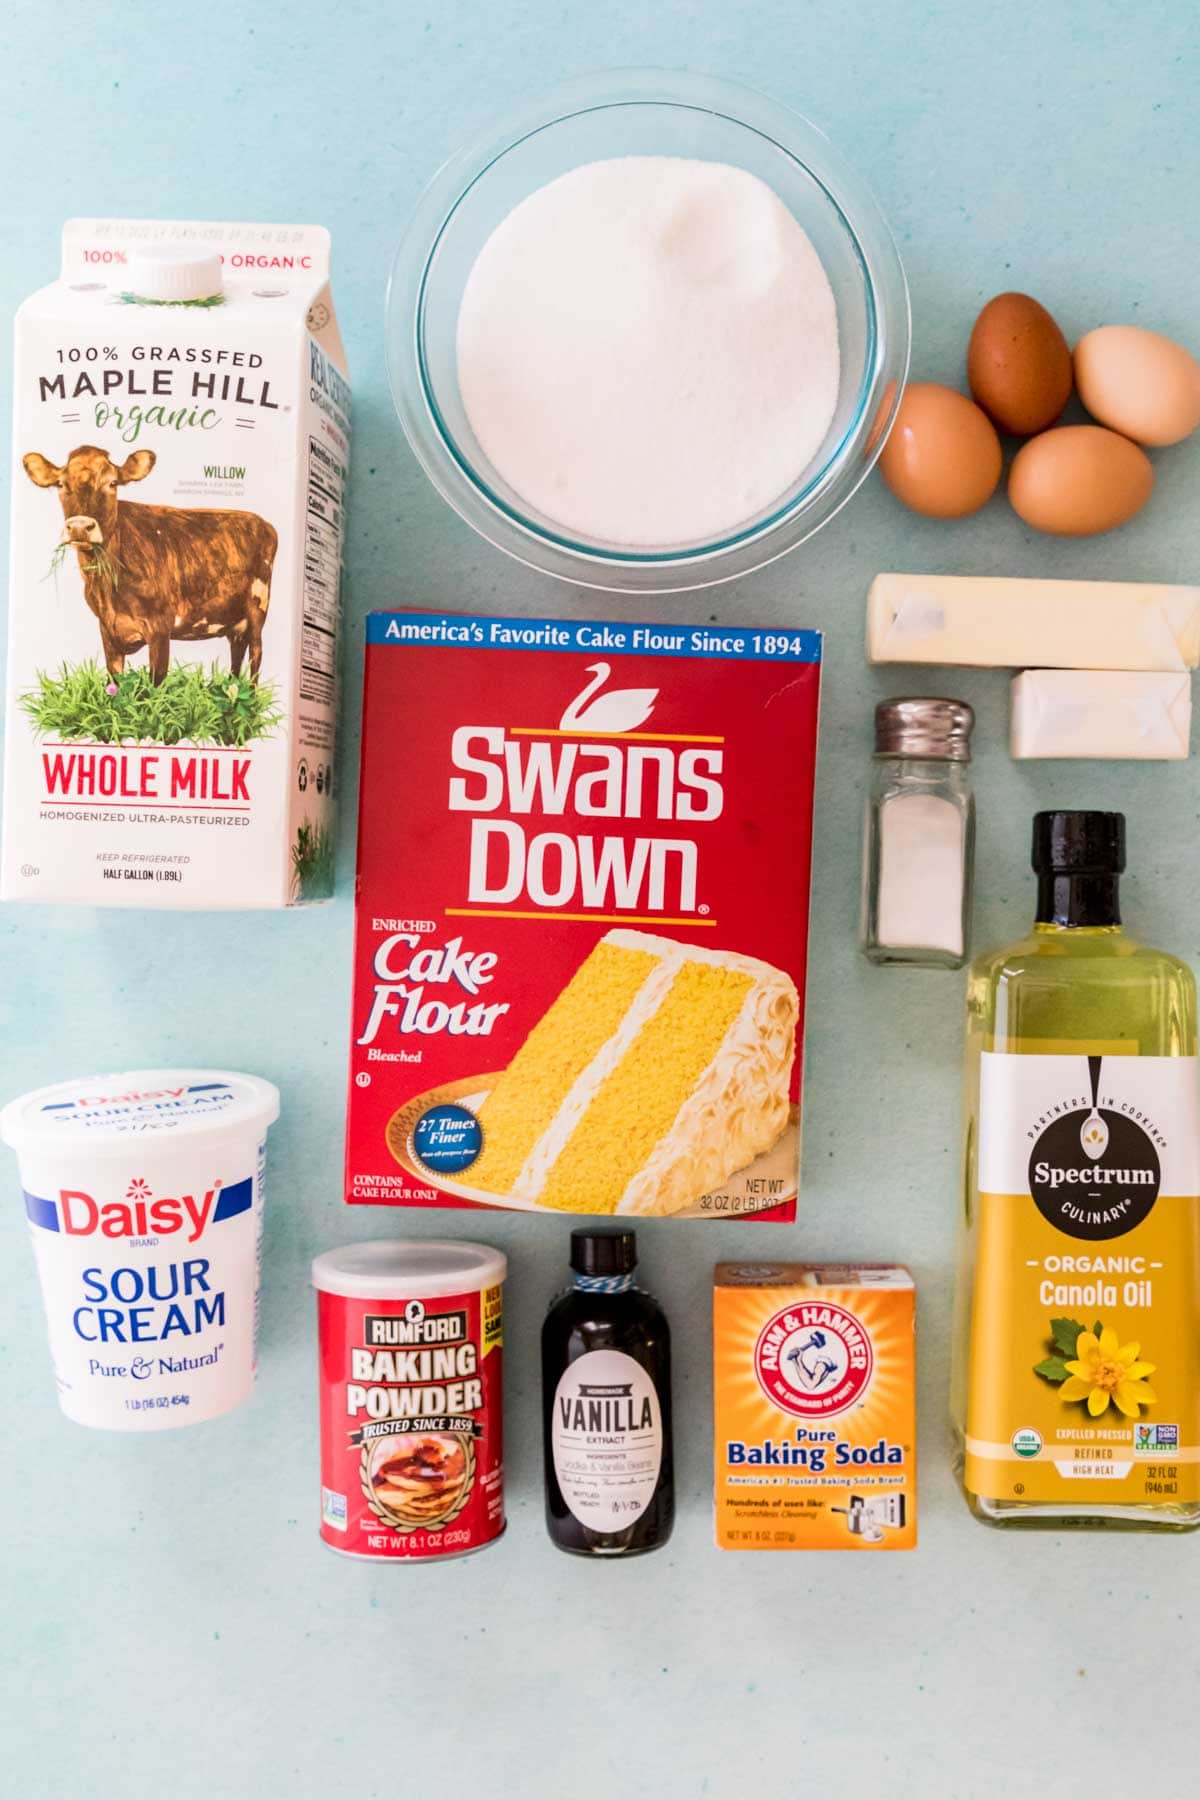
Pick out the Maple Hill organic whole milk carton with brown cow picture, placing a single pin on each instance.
(179, 478)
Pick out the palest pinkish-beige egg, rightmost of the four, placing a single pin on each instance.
(1140, 384)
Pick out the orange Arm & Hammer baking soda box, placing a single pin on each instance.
(814, 1407)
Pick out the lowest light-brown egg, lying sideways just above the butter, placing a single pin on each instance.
(1079, 480)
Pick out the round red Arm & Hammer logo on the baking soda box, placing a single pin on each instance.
(814, 1360)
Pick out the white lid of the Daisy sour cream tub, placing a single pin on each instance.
(111, 1111)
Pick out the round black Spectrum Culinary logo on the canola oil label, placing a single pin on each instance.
(1095, 1173)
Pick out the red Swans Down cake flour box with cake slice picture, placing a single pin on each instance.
(584, 867)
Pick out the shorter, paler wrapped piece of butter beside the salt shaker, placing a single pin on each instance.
(1100, 714)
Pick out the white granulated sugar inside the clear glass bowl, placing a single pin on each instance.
(649, 350)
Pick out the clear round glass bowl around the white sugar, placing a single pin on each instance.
(645, 114)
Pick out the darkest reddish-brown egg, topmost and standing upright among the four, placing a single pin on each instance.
(1019, 364)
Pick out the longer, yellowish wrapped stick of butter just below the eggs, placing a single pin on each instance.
(981, 622)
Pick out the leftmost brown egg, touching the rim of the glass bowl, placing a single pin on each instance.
(944, 456)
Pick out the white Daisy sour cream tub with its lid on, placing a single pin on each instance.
(145, 1203)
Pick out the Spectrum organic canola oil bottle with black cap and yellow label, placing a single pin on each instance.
(1077, 1387)
